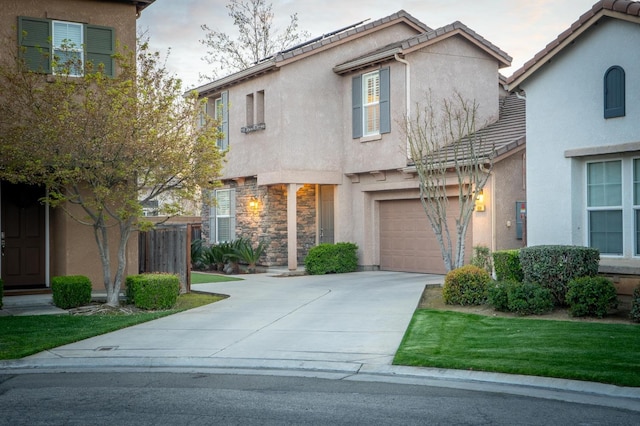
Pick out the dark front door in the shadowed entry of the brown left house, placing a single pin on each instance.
(23, 236)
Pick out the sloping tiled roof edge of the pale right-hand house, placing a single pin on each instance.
(602, 8)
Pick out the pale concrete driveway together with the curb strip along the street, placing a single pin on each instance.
(345, 326)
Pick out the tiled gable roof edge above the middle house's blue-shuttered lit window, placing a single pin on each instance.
(416, 42)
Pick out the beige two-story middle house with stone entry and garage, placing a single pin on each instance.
(317, 151)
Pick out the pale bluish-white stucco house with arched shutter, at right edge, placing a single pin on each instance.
(583, 138)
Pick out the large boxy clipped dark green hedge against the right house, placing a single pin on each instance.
(554, 266)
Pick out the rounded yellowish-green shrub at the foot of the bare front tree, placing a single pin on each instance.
(466, 286)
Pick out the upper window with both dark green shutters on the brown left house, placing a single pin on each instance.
(50, 46)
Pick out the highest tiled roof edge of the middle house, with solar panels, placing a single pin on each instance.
(318, 43)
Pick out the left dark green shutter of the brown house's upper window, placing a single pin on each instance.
(34, 37)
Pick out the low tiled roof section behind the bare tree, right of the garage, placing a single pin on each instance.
(496, 139)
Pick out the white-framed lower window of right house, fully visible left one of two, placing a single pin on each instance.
(605, 206)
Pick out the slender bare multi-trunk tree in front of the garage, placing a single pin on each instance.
(448, 153)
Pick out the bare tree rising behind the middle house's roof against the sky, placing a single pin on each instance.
(257, 38)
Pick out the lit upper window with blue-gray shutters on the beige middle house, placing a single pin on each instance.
(370, 101)
